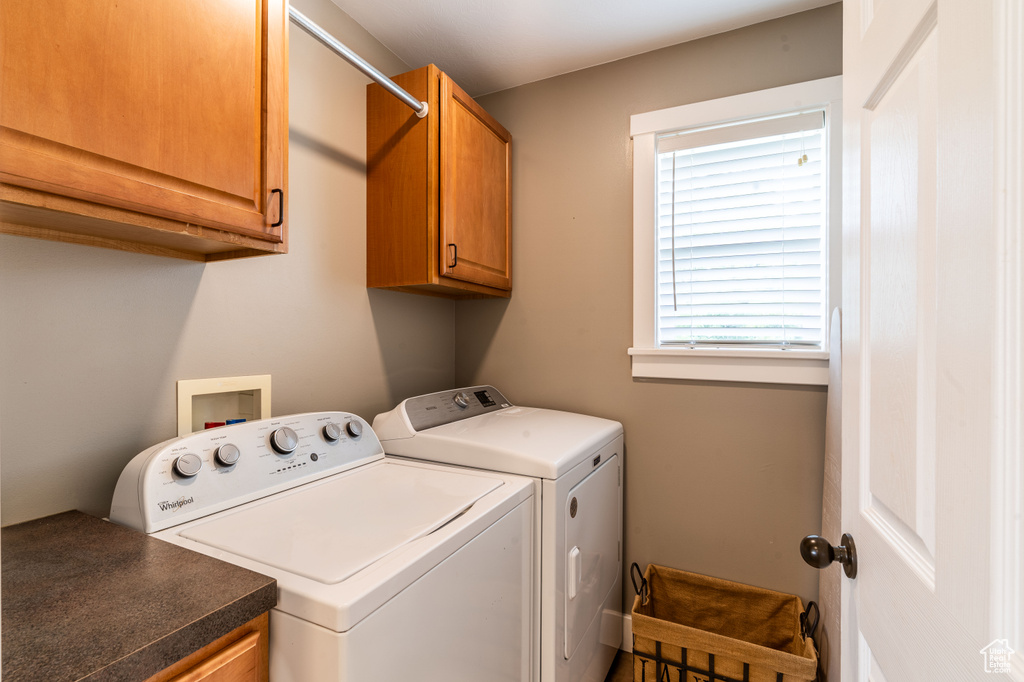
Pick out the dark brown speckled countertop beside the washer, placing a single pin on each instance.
(87, 600)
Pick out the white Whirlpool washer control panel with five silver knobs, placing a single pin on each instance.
(208, 472)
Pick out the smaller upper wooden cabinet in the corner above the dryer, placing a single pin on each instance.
(439, 192)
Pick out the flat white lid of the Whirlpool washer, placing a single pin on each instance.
(329, 531)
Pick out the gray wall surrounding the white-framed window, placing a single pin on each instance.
(720, 479)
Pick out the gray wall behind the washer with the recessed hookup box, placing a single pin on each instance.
(93, 342)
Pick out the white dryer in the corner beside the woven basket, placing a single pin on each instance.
(576, 462)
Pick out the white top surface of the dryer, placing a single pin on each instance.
(529, 442)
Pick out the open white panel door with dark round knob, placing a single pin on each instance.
(932, 354)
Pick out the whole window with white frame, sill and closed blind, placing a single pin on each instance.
(737, 225)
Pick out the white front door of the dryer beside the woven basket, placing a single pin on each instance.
(592, 549)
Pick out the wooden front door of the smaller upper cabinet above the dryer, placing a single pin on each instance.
(476, 192)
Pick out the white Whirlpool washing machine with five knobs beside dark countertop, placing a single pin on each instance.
(388, 570)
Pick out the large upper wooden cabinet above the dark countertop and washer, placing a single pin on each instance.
(158, 126)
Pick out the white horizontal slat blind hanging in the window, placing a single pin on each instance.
(742, 234)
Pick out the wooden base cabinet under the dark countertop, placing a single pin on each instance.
(241, 656)
